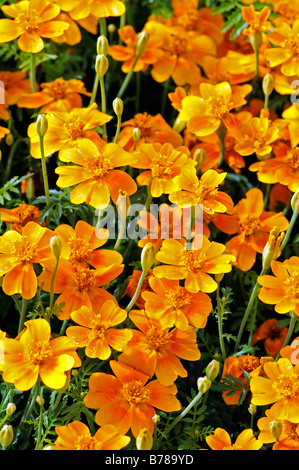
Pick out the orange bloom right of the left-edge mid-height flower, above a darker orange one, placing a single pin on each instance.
(80, 245)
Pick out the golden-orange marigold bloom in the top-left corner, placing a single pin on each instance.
(32, 21)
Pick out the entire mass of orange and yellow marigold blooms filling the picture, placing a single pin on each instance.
(218, 123)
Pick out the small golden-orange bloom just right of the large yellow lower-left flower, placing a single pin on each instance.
(95, 332)
